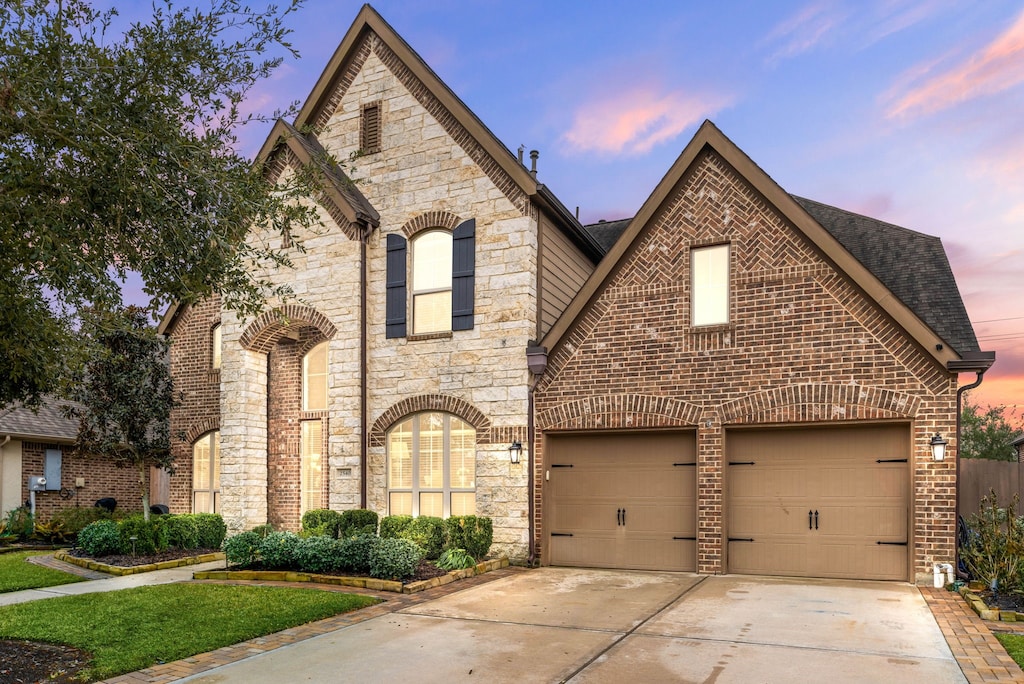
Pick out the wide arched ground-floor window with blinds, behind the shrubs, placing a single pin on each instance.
(433, 466)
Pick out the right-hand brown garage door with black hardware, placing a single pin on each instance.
(820, 503)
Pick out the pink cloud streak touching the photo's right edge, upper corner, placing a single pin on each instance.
(997, 68)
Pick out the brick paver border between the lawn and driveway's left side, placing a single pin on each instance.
(391, 603)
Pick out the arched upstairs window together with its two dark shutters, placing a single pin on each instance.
(442, 283)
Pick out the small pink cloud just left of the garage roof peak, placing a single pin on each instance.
(637, 120)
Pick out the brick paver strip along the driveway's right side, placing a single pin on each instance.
(980, 656)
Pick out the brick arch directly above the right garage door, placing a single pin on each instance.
(817, 403)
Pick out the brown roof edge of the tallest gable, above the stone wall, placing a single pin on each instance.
(320, 104)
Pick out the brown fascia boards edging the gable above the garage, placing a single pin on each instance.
(710, 136)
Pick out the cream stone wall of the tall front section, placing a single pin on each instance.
(421, 172)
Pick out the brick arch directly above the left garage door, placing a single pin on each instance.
(621, 411)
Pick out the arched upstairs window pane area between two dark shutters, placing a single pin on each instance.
(433, 282)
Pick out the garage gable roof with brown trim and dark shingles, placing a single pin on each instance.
(937, 321)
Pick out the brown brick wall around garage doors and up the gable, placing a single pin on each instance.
(804, 346)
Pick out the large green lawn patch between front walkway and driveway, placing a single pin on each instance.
(130, 630)
